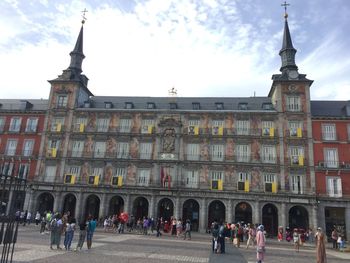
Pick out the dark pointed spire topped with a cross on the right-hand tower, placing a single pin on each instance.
(287, 51)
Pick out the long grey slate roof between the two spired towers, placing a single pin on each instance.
(183, 103)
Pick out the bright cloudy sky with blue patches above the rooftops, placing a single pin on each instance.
(201, 48)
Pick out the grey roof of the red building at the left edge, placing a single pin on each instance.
(24, 105)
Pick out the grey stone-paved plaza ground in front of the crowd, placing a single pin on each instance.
(111, 247)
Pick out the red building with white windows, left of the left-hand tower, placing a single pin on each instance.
(21, 127)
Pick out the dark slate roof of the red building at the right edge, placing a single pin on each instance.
(330, 108)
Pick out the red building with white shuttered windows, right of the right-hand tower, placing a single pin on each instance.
(331, 134)
